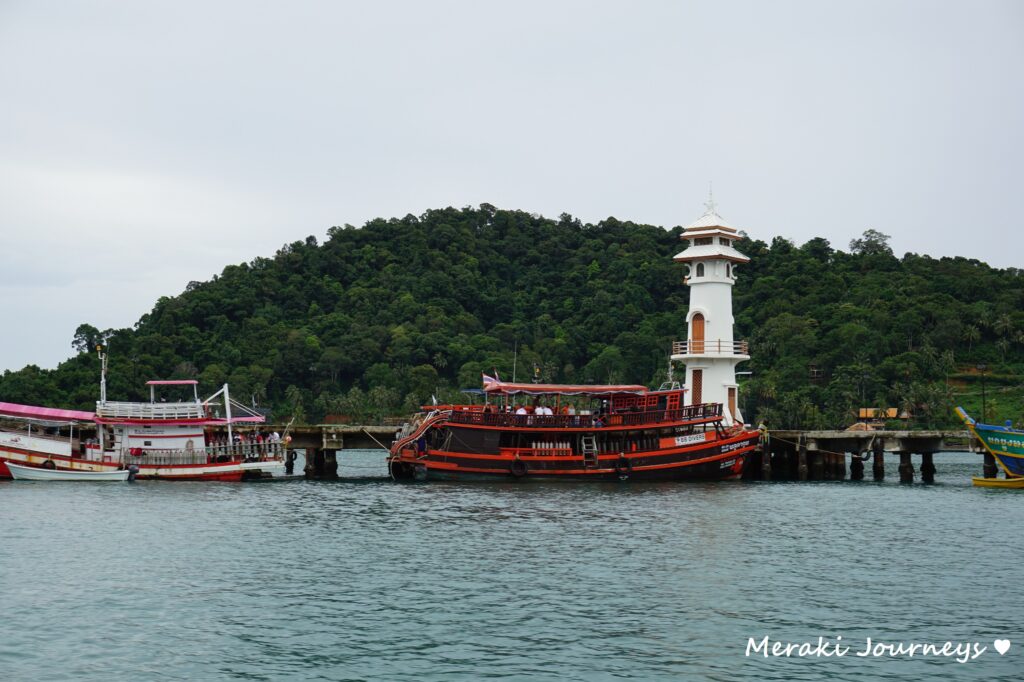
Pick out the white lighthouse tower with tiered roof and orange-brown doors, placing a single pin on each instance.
(711, 355)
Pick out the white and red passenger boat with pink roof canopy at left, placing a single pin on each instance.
(174, 441)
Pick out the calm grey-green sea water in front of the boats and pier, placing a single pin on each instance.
(373, 580)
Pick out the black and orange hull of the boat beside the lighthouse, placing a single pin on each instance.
(720, 460)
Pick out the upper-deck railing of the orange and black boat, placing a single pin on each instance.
(691, 413)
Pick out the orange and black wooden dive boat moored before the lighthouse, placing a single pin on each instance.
(550, 432)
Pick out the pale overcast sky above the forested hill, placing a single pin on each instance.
(147, 145)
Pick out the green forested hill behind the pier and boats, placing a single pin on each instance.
(380, 318)
